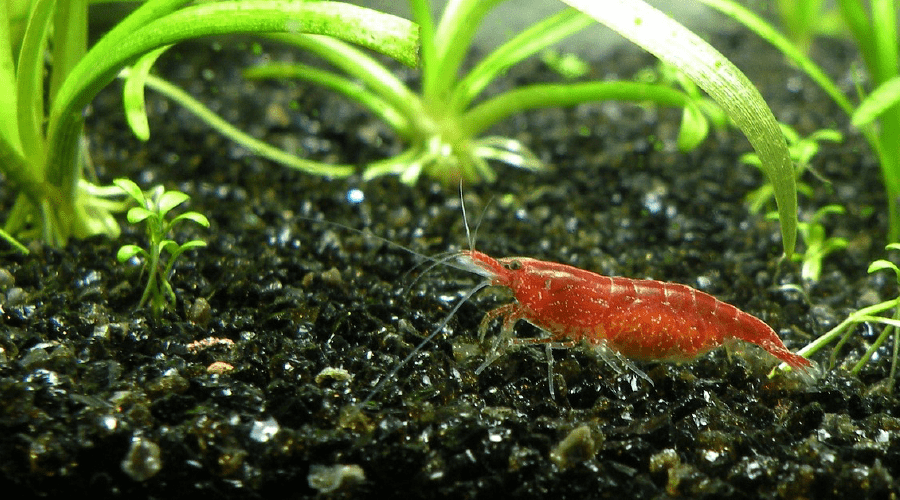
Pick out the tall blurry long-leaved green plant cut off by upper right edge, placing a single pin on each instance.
(873, 25)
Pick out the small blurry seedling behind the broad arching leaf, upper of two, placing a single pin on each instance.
(802, 151)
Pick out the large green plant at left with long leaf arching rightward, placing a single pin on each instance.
(41, 148)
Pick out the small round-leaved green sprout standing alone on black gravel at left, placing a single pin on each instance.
(152, 210)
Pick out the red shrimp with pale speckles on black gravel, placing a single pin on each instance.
(628, 319)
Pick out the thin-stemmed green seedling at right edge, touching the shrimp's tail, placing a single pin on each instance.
(871, 314)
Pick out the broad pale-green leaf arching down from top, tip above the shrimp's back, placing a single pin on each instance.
(718, 77)
